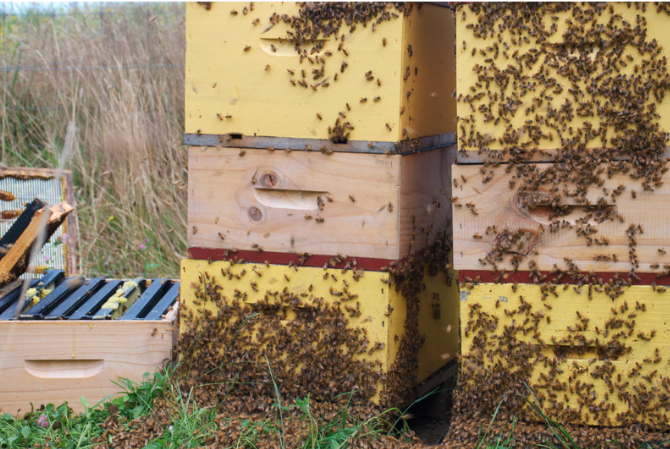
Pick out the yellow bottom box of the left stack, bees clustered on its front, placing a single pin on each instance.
(369, 306)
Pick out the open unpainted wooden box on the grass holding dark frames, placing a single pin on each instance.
(54, 354)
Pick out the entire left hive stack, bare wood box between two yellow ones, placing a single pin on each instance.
(320, 147)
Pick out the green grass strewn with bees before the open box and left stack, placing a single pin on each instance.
(186, 424)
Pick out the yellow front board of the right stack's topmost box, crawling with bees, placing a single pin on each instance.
(476, 59)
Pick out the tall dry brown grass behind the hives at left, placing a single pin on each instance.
(116, 71)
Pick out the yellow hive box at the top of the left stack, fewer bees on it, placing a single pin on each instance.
(240, 71)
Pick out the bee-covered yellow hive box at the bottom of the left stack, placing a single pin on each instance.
(326, 330)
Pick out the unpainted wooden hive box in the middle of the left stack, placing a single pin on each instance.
(359, 205)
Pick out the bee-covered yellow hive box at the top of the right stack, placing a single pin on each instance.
(522, 72)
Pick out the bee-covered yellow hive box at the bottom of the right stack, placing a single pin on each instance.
(587, 358)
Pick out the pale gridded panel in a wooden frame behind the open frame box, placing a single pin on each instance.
(53, 254)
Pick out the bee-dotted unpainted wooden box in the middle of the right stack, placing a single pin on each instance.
(496, 204)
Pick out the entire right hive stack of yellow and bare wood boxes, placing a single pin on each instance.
(561, 235)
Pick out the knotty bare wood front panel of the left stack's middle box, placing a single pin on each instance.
(270, 200)
